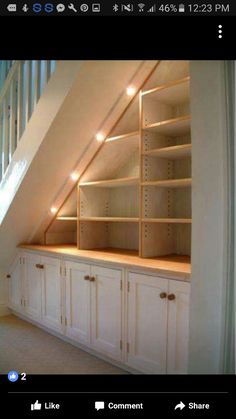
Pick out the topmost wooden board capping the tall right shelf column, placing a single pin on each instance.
(171, 93)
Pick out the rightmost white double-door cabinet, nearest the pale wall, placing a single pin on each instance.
(158, 312)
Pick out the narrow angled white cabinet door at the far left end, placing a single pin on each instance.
(16, 284)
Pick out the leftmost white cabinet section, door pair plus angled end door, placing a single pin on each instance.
(35, 288)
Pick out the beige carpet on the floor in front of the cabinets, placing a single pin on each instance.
(24, 347)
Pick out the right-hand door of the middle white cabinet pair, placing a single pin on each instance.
(106, 310)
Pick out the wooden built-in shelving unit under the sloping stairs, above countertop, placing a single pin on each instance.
(135, 195)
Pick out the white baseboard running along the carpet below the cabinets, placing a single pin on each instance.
(74, 343)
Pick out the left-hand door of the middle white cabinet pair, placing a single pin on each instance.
(78, 301)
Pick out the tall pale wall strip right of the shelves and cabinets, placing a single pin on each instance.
(209, 215)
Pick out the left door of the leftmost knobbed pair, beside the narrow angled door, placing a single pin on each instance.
(33, 286)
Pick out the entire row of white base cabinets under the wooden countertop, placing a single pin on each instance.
(132, 317)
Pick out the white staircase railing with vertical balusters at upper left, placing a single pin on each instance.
(20, 93)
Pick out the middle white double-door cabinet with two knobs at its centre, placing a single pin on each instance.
(94, 307)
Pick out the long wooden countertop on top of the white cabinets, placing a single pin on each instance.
(176, 266)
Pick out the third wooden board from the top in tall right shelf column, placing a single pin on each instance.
(173, 153)
